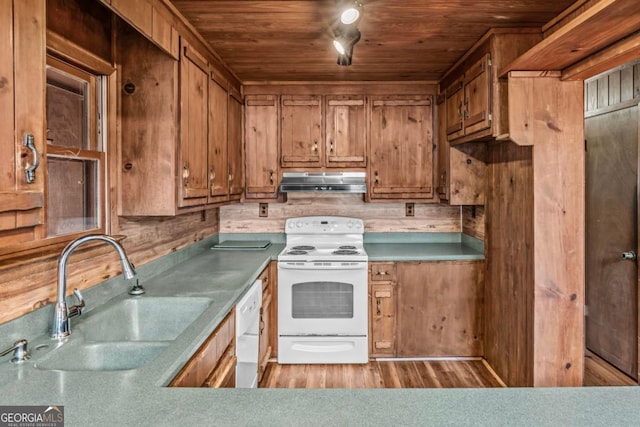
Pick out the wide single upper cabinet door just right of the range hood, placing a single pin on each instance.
(401, 150)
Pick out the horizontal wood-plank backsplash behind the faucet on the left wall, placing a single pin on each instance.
(27, 284)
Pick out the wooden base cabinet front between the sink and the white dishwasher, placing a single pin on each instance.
(198, 371)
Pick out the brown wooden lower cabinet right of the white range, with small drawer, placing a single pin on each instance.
(431, 309)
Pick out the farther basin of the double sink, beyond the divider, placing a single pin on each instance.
(143, 319)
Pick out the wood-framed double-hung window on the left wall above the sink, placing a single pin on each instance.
(75, 154)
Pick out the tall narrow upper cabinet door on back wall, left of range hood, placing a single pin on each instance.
(261, 142)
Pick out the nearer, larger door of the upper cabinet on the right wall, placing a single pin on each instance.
(477, 101)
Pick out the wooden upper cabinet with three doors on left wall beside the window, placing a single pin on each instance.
(181, 131)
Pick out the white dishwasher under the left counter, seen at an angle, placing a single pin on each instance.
(247, 332)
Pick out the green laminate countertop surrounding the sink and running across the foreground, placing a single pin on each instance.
(139, 397)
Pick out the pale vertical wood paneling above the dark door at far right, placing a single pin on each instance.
(606, 92)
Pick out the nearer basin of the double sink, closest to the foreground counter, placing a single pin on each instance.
(116, 356)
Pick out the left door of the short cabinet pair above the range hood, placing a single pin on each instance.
(301, 128)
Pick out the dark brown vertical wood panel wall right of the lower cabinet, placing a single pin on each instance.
(509, 279)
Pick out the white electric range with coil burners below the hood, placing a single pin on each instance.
(322, 291)
